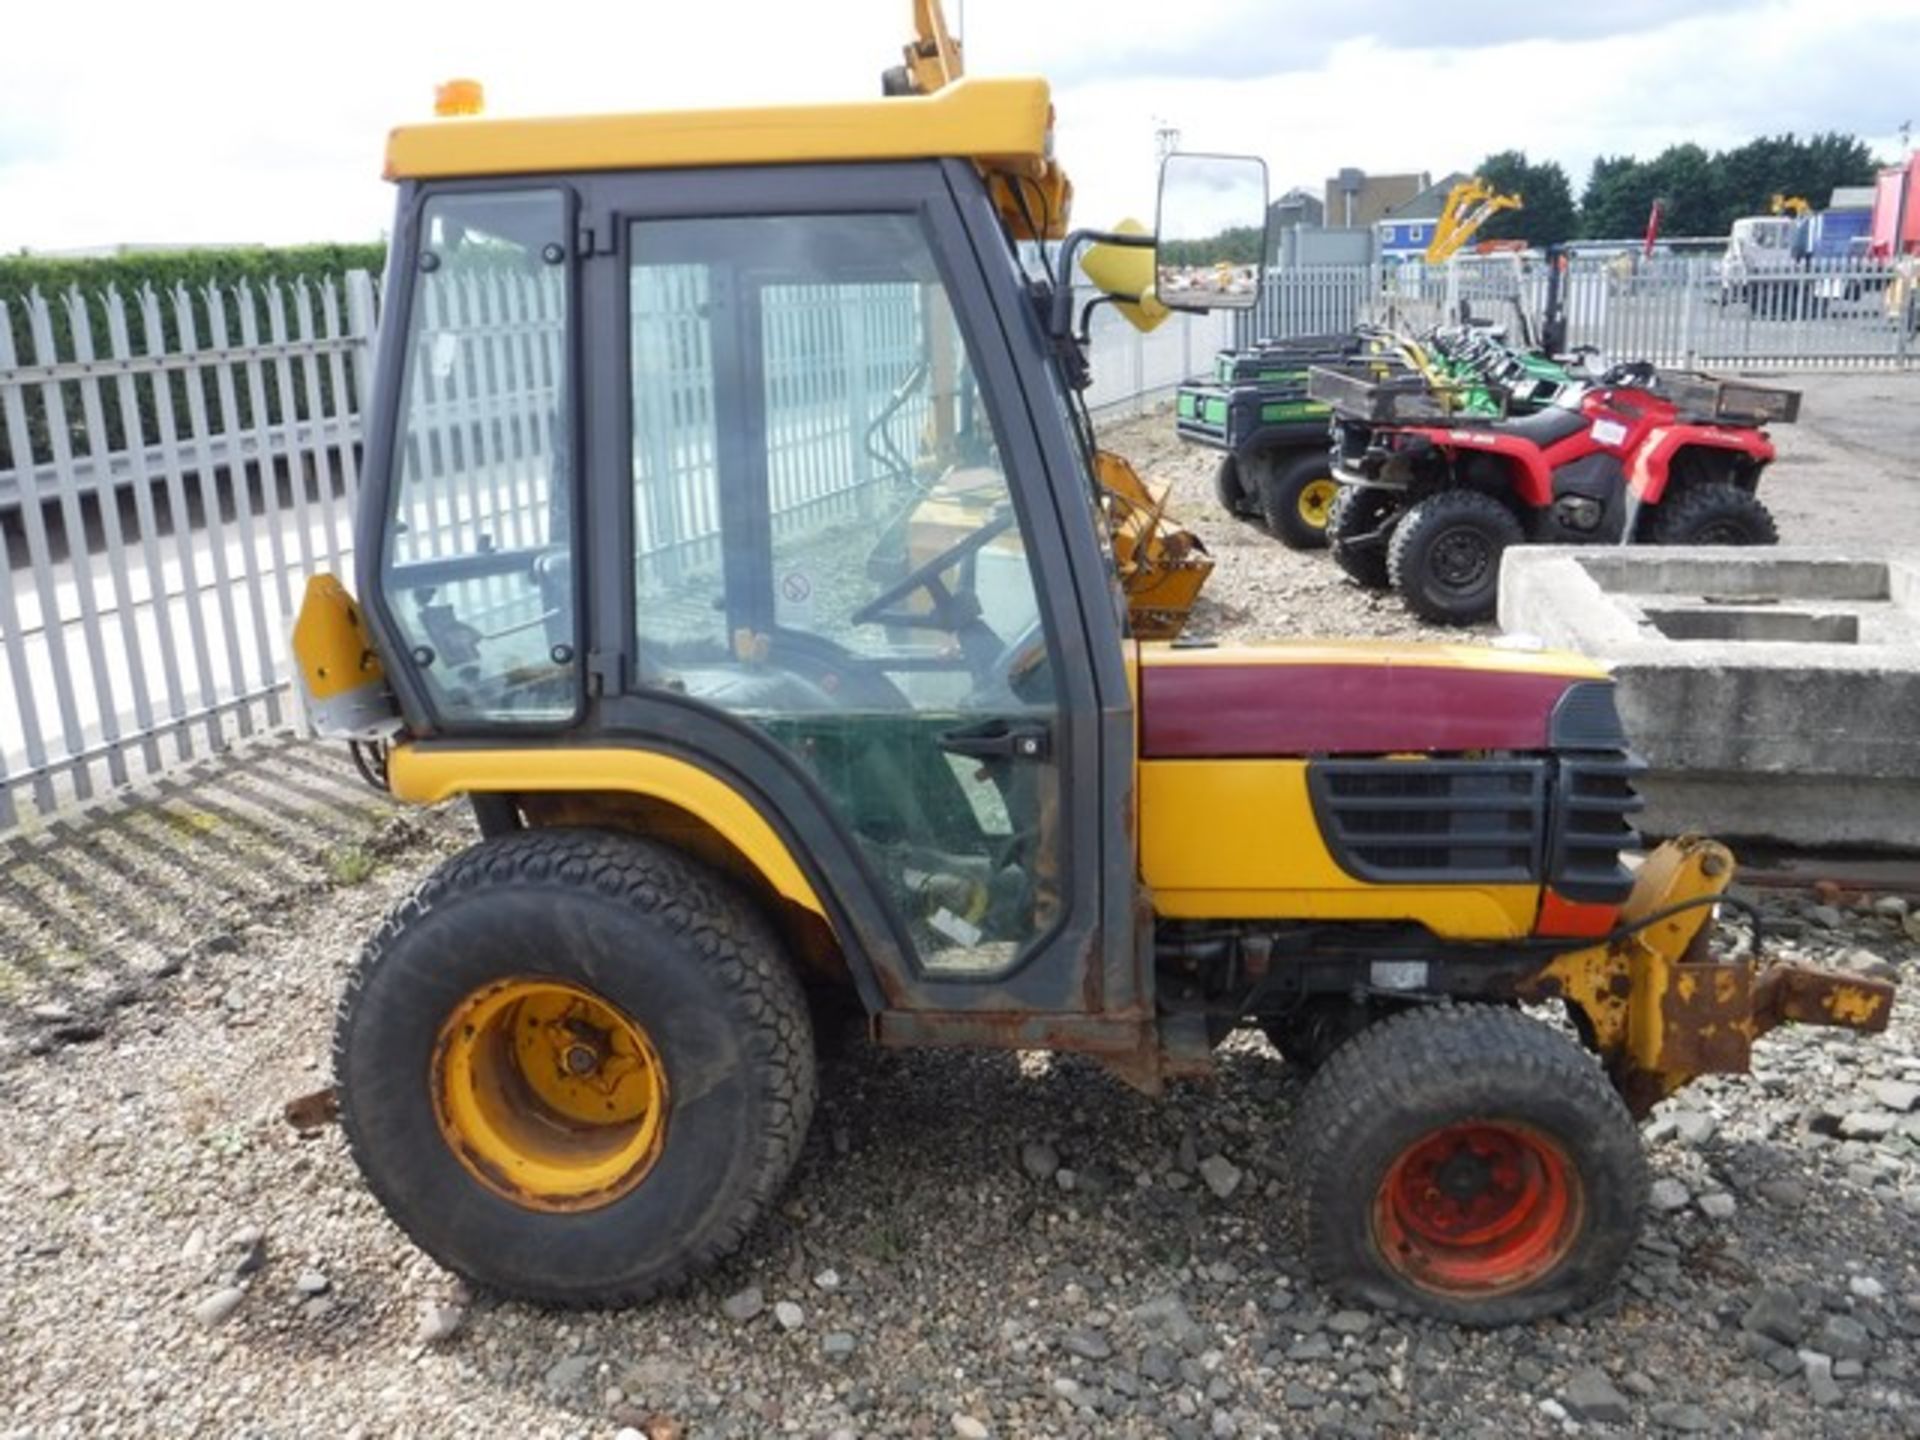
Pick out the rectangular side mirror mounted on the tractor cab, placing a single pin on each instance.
(1212, 235)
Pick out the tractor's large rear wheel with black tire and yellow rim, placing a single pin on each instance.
(533, 984)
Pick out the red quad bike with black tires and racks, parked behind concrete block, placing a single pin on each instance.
(1429, 500)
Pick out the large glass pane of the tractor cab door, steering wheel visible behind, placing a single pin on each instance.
(828, 548)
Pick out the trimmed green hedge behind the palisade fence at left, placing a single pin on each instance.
(164, 274)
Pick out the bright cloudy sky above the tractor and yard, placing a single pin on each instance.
(212, 122)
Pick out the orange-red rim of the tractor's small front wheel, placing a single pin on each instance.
(1477, 1211)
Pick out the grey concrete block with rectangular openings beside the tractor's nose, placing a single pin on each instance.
(1773, 692)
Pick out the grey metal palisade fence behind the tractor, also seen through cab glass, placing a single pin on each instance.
(176, 466)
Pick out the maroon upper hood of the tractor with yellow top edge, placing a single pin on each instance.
(1368, 698)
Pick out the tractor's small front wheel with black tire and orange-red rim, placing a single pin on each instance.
(1472, 1164)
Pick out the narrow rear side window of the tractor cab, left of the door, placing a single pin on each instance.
(477, 560)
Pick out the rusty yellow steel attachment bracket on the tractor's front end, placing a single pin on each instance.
(1662, 1009)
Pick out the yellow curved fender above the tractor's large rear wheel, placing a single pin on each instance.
(425, 777)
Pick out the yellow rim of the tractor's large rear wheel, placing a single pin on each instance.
(548, 1095)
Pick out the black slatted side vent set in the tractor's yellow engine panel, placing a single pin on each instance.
(1433, 821)
